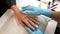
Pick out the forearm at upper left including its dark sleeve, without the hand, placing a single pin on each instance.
(12, 4)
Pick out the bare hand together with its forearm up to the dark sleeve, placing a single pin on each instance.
(24, 19)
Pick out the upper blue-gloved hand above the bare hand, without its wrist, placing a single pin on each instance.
(31, 10)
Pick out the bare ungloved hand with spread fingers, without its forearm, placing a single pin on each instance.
(27, 20)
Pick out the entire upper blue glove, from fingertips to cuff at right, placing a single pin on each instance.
(36, 11)
